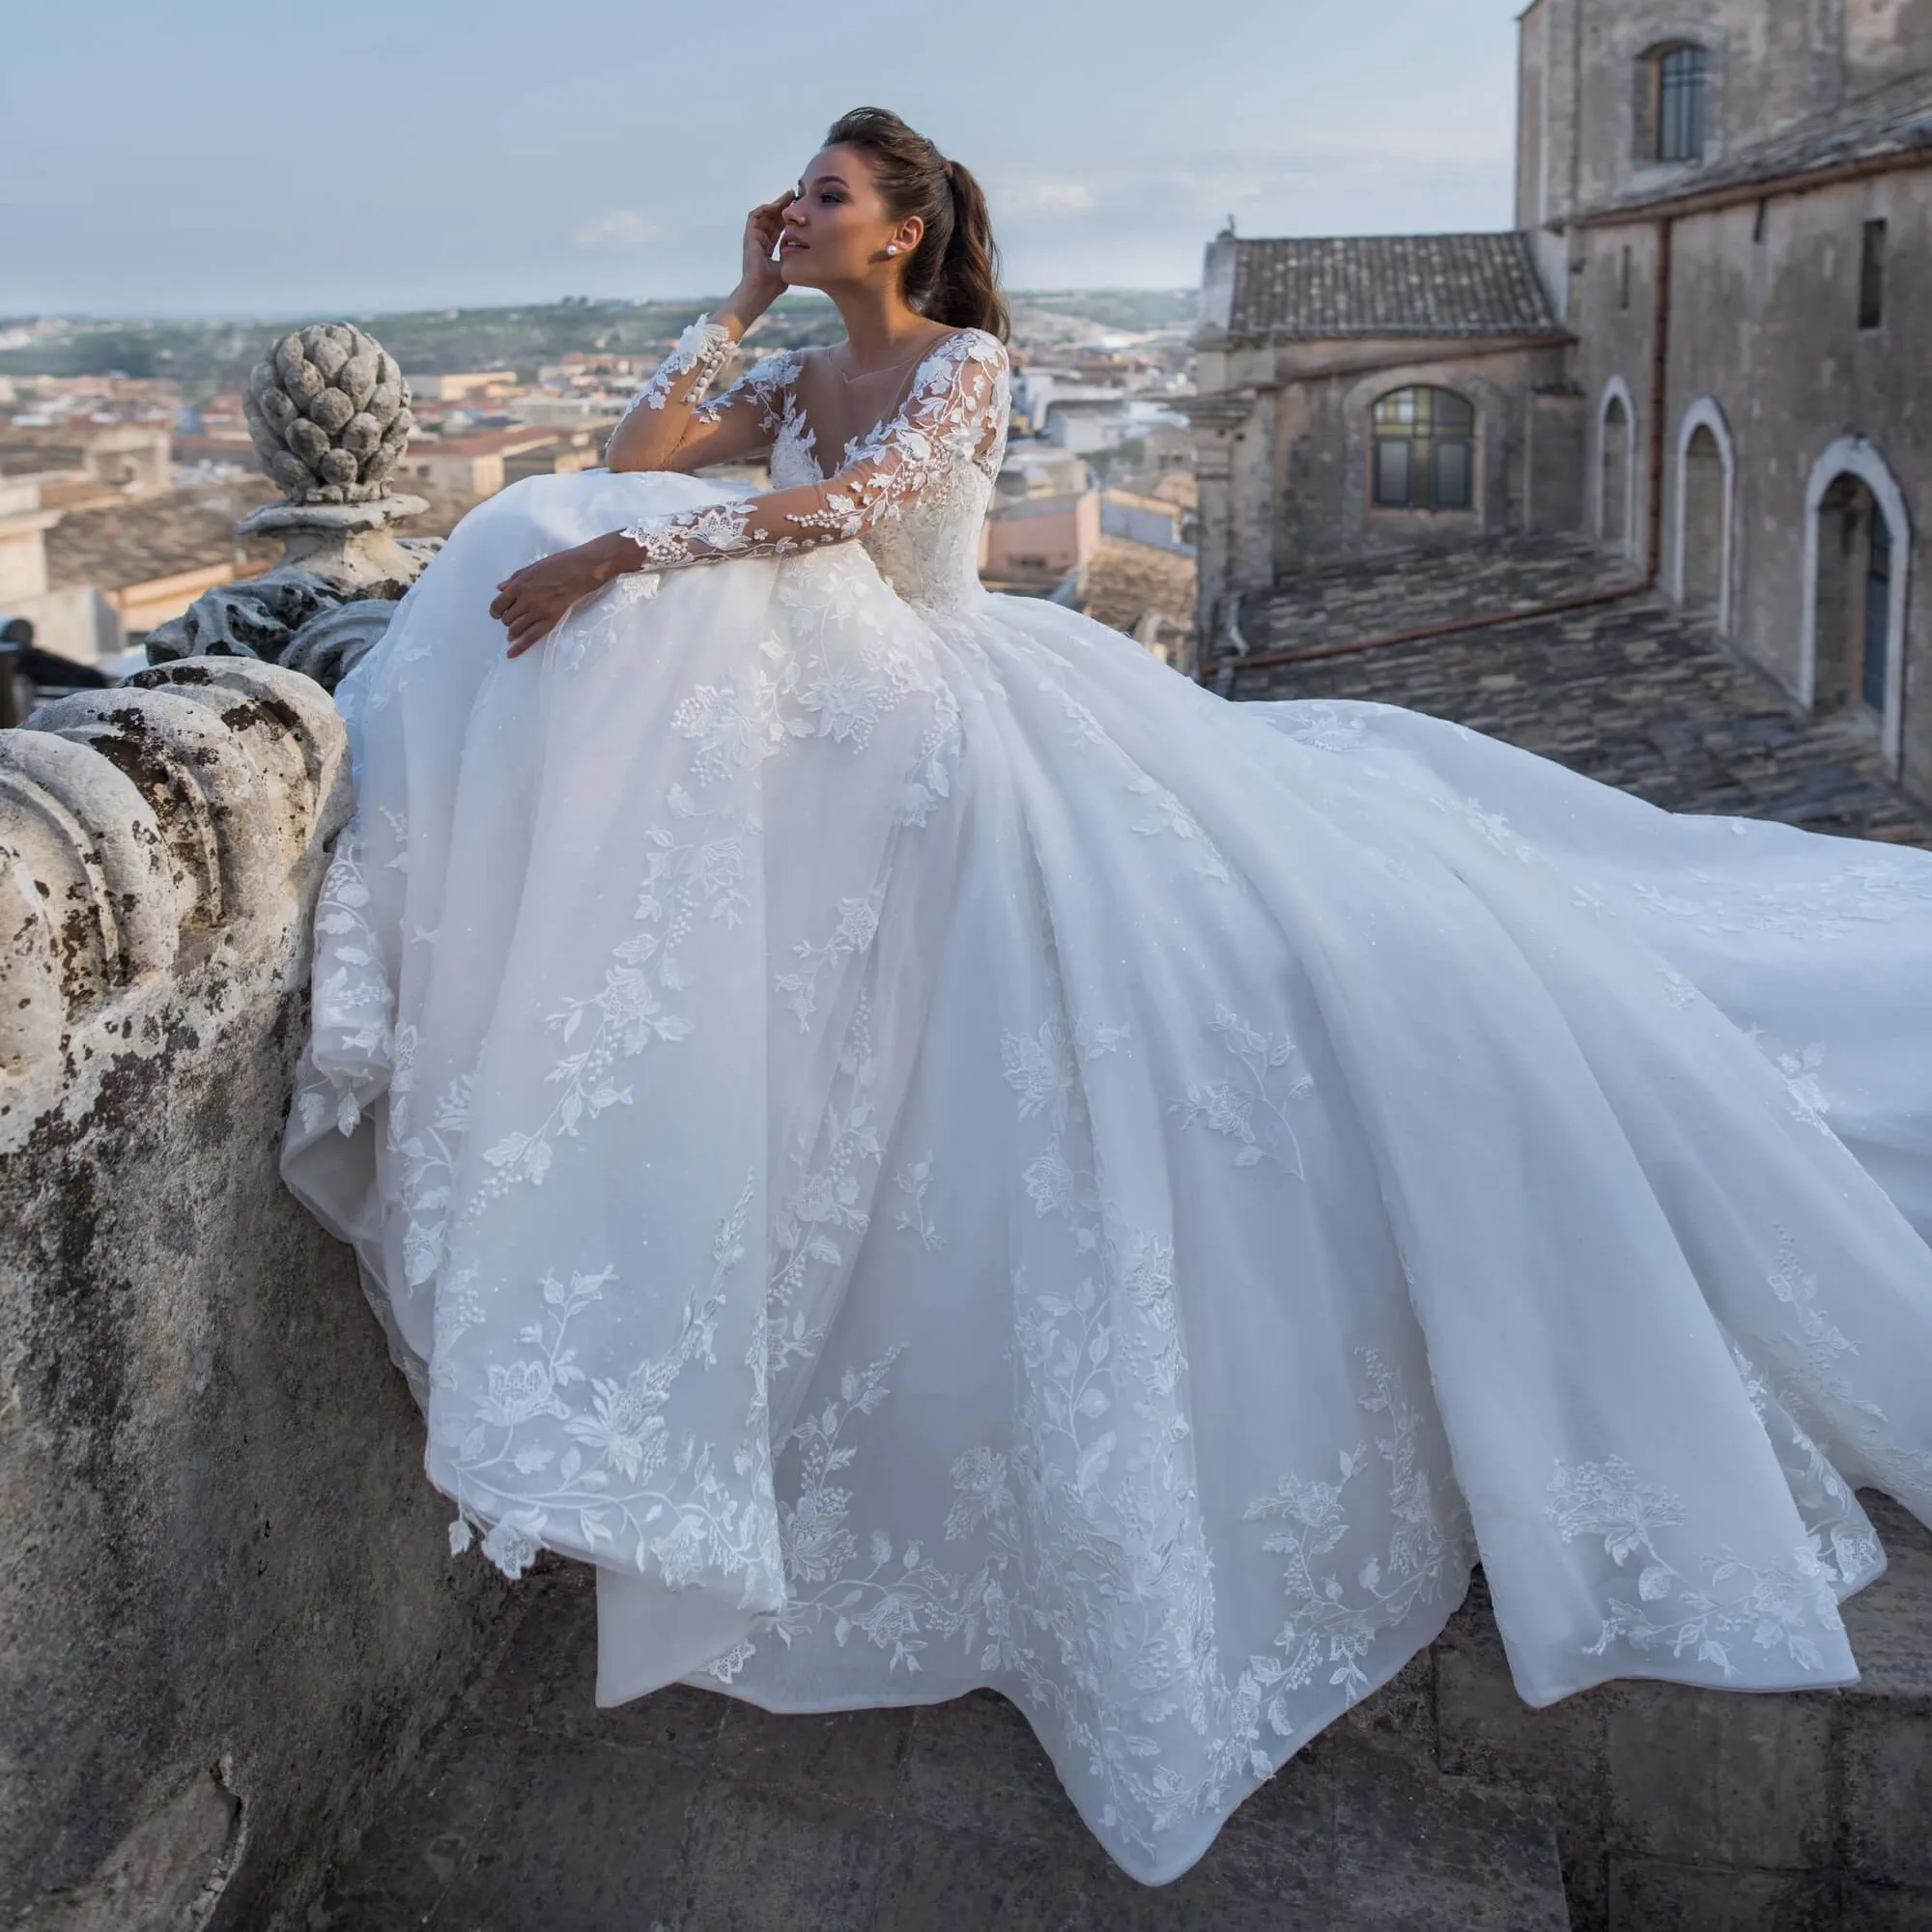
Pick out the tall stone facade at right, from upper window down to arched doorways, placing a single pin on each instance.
(1757, 436)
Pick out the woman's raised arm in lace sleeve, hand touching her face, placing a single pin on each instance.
(666, 428)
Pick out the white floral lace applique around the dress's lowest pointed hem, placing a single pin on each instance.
(1050, 1560)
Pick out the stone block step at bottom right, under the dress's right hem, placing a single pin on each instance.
(1711, 1809)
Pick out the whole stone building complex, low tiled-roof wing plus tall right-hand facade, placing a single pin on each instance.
(1730, 212)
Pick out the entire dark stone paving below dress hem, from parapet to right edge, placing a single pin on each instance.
(1440, 1802)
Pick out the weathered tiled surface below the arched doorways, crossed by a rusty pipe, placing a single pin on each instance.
(1632, 695)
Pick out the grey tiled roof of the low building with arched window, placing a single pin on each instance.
(1473, 285)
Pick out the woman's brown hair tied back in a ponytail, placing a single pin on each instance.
(953, 273)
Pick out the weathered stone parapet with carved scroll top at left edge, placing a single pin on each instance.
(229, 1608)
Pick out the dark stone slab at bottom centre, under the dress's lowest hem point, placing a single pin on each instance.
(695, 1811)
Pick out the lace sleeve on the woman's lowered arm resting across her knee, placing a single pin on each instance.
(953, 414)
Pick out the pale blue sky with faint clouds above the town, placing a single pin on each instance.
(223, 157)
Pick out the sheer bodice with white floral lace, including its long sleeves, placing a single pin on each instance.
(913, 490)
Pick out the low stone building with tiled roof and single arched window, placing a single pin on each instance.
(1377, 395)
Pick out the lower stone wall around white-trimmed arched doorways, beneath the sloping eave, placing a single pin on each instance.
(1765, 347)
